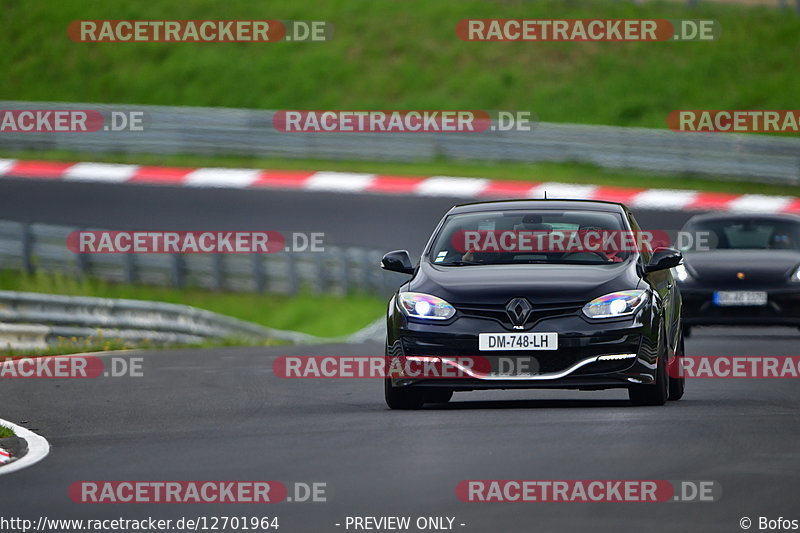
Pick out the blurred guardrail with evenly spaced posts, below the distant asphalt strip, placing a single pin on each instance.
(337, 270)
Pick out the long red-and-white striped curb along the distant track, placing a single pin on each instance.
(349, 182)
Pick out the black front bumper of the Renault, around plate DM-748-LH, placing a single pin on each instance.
(605, 354)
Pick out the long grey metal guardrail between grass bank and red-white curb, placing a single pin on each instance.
(223, 131)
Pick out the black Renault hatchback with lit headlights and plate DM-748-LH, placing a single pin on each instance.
(538, 291)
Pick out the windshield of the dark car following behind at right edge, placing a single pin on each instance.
(741, 234)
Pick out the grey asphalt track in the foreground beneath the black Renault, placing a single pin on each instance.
(220, 414)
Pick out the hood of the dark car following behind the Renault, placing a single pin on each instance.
(757, 266)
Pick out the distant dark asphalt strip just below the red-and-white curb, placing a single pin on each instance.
(367, 220)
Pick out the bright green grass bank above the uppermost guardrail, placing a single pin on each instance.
(406, 55)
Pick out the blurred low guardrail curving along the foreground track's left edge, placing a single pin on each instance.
(33, 320)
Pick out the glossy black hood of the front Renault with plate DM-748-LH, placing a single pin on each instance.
(497, 284)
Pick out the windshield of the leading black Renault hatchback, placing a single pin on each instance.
(529, 237)
